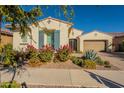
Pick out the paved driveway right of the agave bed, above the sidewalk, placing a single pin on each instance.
(116, 59)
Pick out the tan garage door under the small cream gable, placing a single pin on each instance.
(94, 45)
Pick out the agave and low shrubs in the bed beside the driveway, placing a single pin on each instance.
(90, 60)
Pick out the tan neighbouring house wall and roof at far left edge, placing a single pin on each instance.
(6, 37)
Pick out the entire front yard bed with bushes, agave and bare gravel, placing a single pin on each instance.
(46, 57)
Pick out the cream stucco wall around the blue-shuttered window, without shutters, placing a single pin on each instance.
(57, 25)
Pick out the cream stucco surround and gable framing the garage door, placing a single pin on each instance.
(95, 35)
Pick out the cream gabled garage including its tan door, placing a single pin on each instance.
(96, 41)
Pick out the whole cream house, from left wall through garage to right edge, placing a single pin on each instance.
(62, 33)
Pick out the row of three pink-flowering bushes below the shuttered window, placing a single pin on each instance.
(46, 52)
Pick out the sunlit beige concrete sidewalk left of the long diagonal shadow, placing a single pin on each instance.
(54, 77)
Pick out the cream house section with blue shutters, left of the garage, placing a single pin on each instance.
(61, 33)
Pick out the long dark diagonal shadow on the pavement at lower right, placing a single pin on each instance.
(107, 82)
